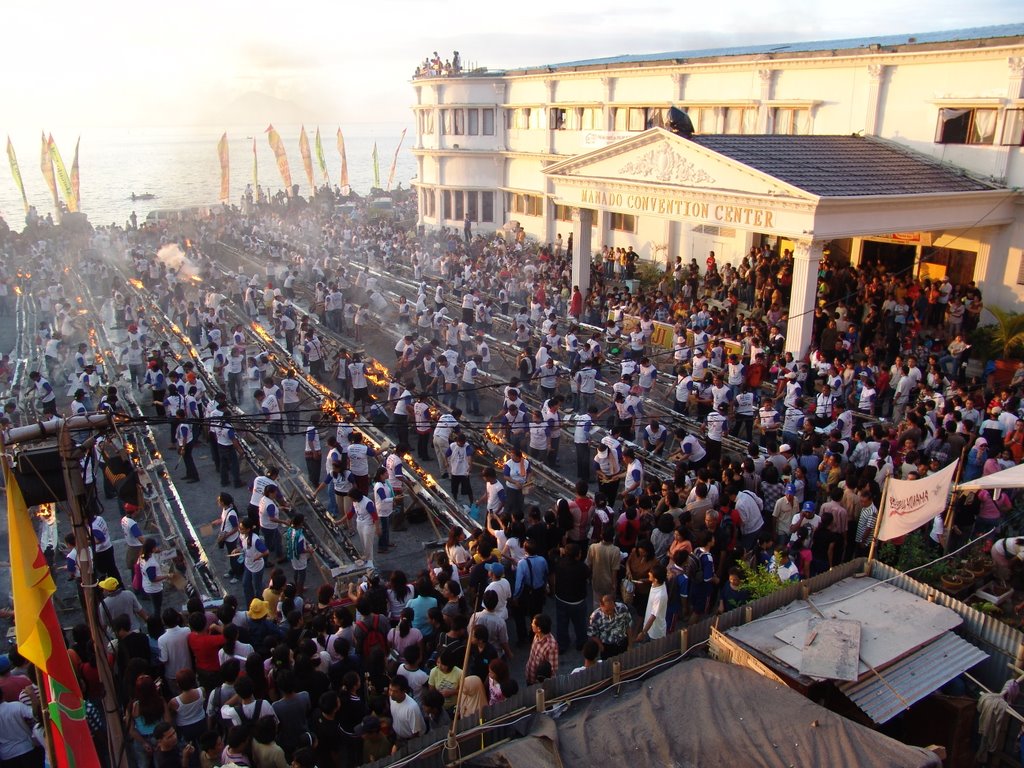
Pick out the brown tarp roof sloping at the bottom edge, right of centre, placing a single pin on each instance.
(706, 714)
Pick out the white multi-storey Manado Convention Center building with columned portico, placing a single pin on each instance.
(904, 150)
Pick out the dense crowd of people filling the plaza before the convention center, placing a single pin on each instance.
(760, 459)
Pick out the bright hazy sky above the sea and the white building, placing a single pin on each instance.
(114, 63)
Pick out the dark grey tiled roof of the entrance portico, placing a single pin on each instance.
(843, 166)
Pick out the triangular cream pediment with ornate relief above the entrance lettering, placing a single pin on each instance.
(660, 158)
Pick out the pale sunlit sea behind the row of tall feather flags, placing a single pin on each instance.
(181, 166)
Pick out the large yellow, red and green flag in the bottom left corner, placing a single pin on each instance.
(40, 639)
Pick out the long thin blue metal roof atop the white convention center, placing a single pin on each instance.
(886, 41)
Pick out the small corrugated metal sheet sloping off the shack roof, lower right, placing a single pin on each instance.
(914, 678)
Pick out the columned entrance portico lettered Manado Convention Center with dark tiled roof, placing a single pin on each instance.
(809, 190)
